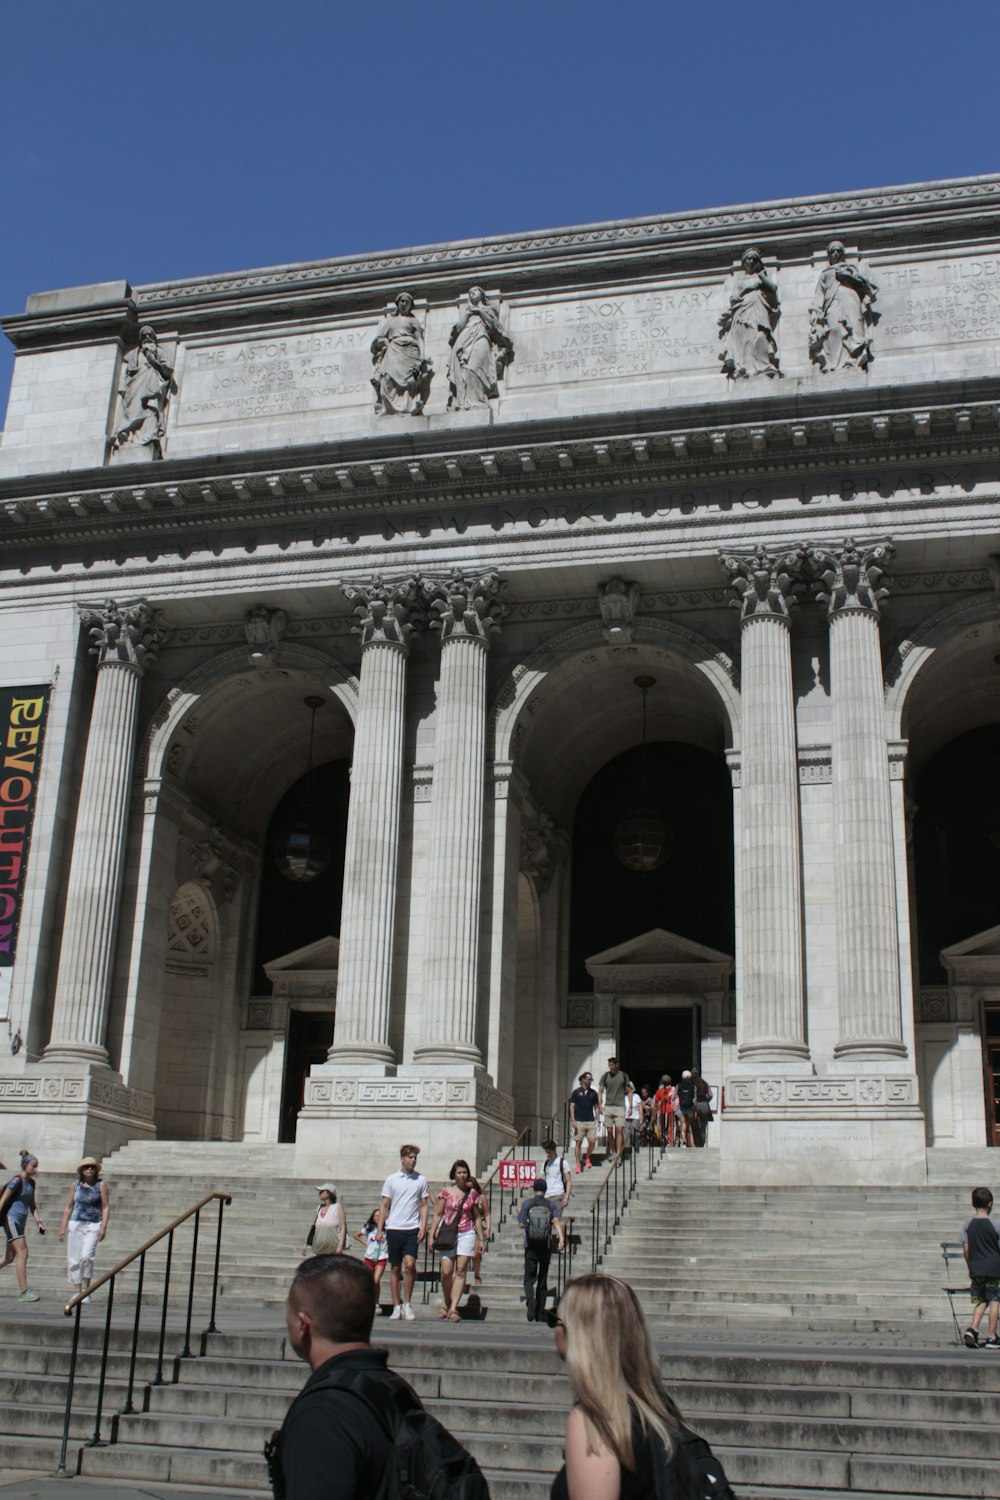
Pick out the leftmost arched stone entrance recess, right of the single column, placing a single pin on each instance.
(202, 1028)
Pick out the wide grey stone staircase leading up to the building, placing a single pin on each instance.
(804, 1333)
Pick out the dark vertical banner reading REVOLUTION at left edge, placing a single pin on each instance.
(23, 713)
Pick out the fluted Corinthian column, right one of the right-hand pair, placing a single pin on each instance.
(867, 938)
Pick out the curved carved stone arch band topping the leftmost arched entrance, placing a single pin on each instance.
(230, 667)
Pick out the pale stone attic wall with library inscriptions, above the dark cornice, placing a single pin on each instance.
(576, 341)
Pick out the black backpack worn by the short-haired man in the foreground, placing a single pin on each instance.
(430, 1463)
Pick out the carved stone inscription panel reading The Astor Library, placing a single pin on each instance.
(266, 377)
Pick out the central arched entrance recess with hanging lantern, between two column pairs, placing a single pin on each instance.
(573, 731)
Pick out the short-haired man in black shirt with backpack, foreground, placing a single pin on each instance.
(358, 1430)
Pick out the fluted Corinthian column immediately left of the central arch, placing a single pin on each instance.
(467, 613)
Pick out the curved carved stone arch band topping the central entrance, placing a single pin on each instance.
(698, 652)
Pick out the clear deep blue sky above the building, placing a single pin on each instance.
(175, 139)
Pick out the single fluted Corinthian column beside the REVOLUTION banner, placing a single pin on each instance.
(125, 641)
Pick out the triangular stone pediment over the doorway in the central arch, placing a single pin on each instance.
(660, 964)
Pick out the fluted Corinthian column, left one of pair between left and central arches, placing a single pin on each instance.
(386, 614)
